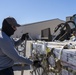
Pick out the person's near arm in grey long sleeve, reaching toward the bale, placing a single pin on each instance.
(9, 50)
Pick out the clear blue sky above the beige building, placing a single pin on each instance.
(30, 11)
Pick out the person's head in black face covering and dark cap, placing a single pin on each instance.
(9, 25)
